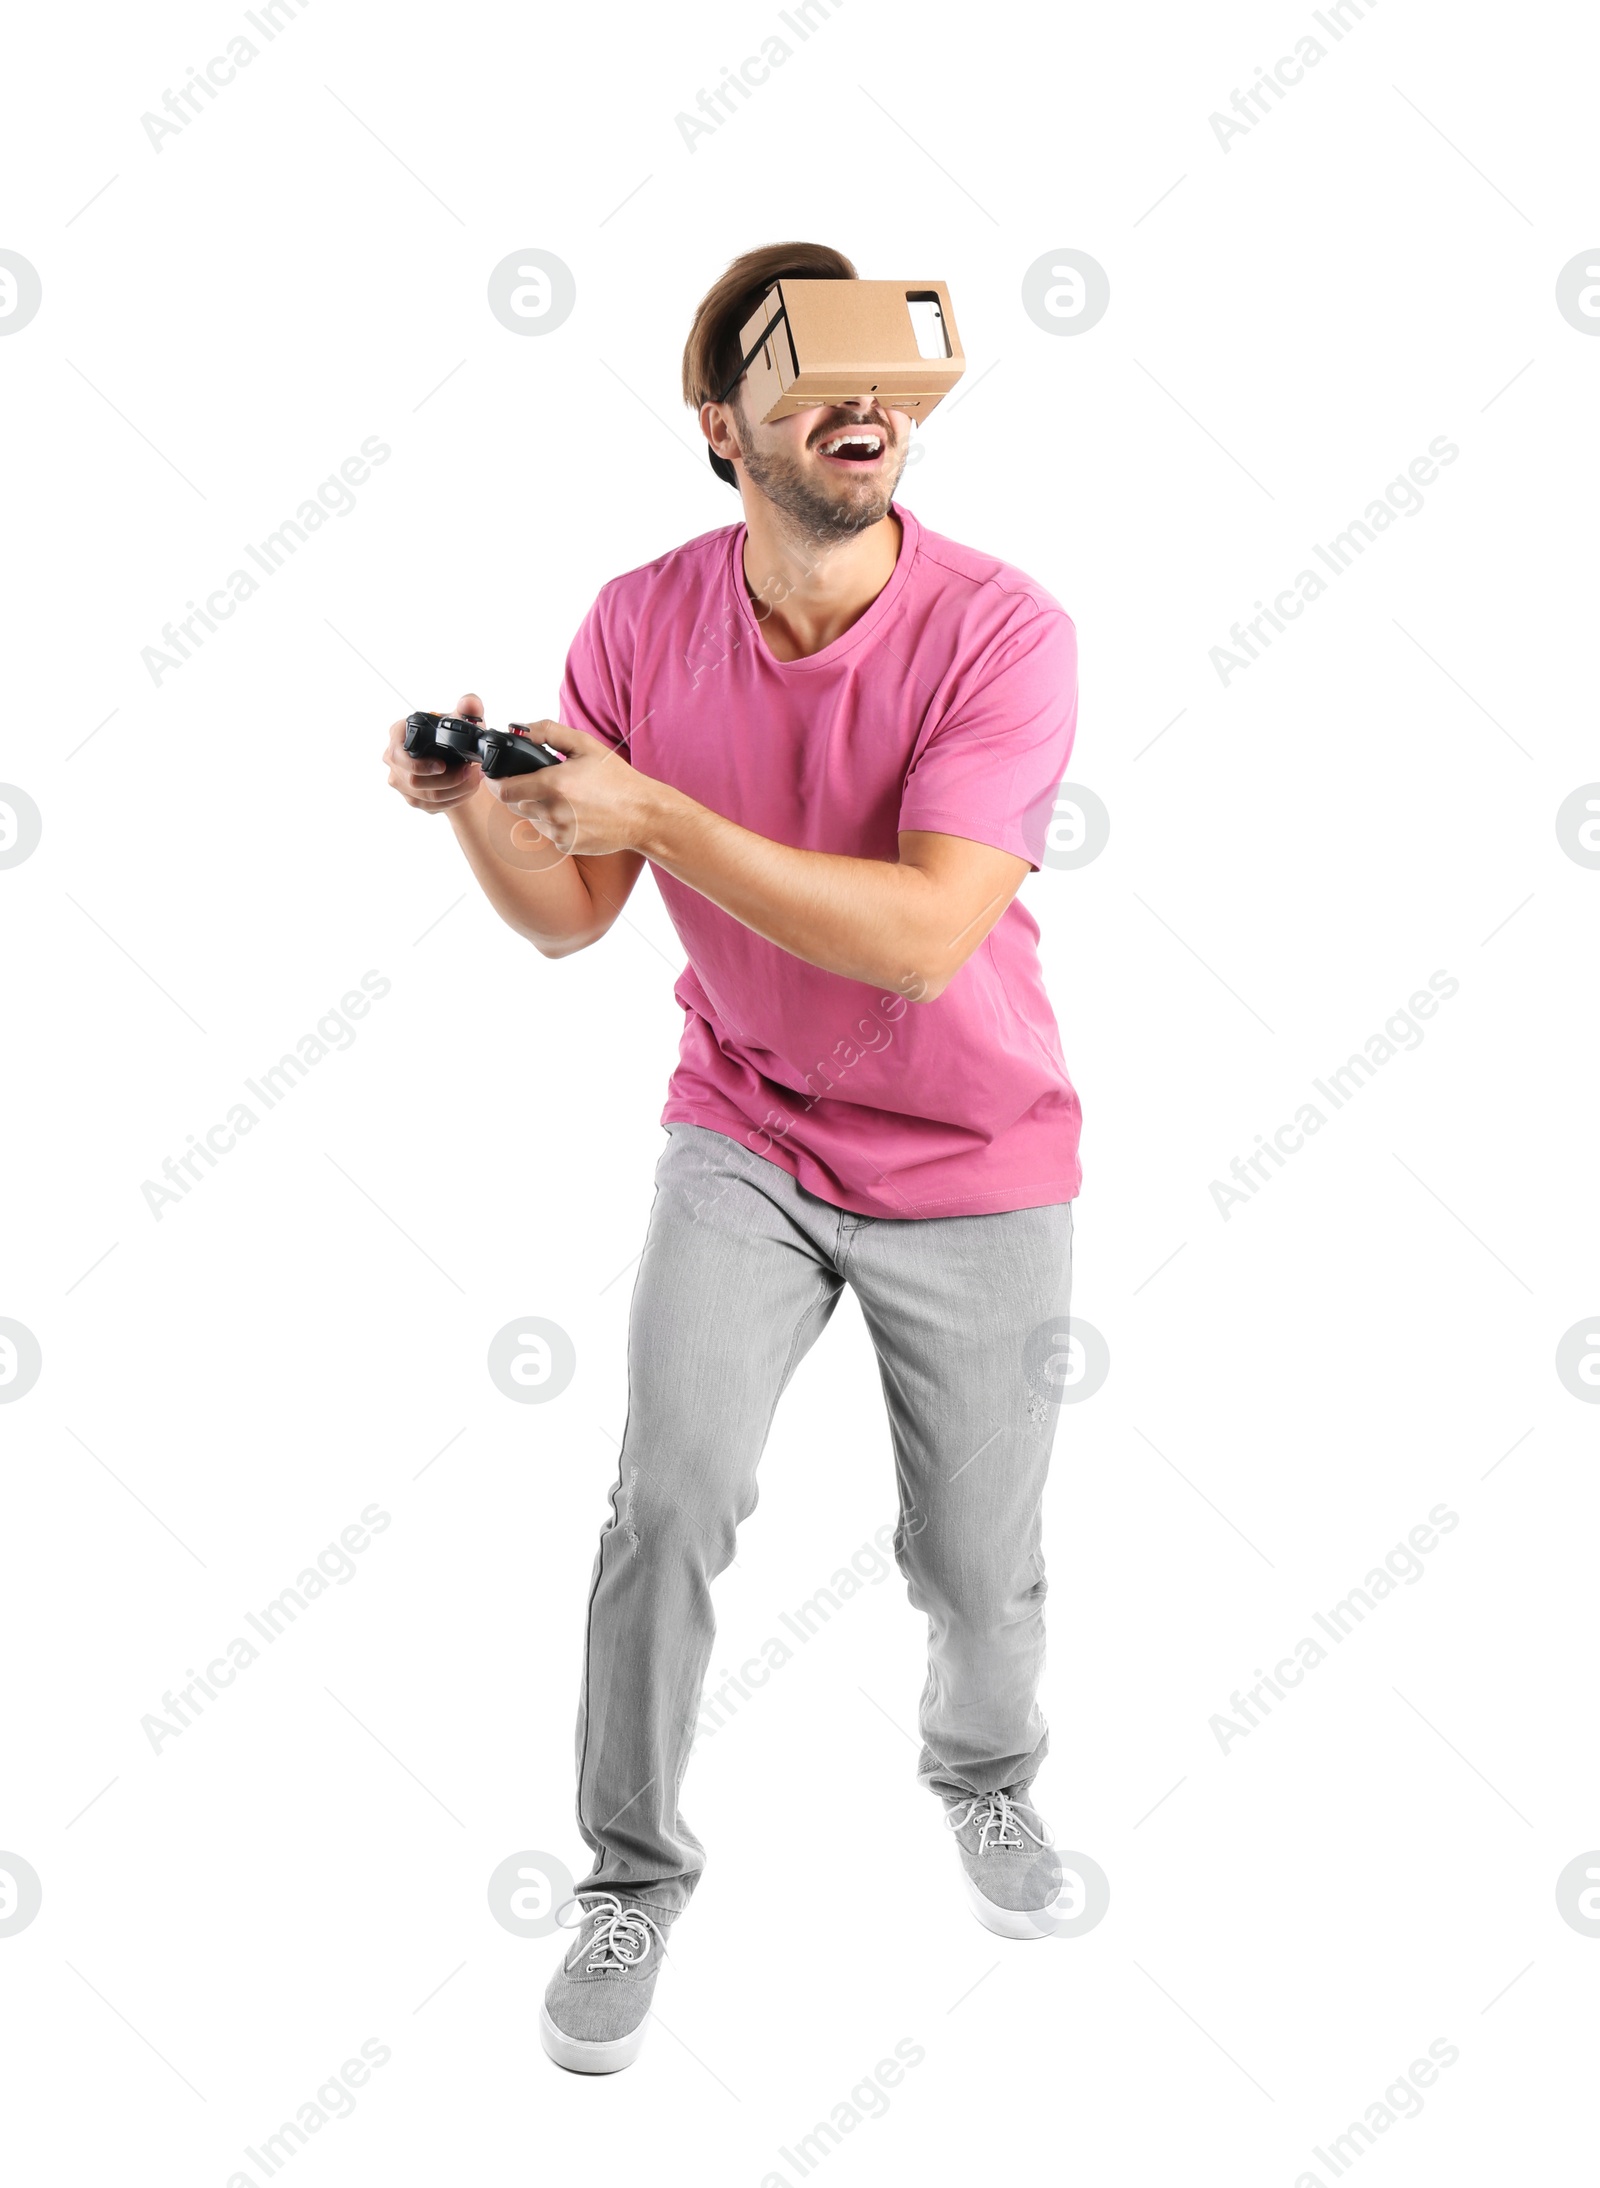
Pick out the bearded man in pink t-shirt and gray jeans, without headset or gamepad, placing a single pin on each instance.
(837, 741)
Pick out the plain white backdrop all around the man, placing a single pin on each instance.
(1295, 1920)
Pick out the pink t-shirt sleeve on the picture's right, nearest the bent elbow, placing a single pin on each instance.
(993, 765)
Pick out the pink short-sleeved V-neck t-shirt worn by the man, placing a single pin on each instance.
(951, 706)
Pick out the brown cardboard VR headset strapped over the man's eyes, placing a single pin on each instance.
(835, 340)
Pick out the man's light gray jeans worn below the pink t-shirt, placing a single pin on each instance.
(739, 1277)
